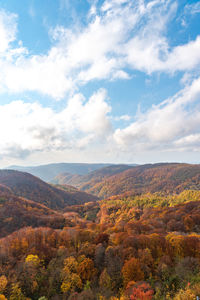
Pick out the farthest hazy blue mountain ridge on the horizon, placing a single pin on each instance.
(48, 172)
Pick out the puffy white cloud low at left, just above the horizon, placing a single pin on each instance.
(30, 127)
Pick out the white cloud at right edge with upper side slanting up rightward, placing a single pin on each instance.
(172, 125)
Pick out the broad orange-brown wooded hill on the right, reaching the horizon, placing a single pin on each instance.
(168, 178)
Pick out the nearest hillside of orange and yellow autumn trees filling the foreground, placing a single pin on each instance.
(130, 252)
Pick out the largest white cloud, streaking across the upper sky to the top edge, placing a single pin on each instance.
(119, 35)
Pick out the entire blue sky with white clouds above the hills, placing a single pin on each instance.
(113, 81)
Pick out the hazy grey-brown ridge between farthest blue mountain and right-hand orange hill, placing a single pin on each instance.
(89, 180)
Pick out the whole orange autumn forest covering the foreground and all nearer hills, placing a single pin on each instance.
(141, 243)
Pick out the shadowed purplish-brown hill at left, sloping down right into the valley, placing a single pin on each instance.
(30, 187)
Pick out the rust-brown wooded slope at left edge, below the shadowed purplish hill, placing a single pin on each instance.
(17, 212)
